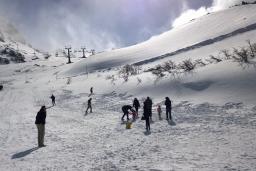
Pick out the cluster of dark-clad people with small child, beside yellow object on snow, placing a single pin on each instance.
(147, 110)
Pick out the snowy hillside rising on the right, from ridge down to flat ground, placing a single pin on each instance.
(226, 29)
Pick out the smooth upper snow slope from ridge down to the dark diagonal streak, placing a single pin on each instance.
(207, 30)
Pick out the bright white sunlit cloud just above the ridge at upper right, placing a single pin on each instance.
(217, 5)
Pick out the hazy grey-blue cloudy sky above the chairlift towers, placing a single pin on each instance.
(98, 24)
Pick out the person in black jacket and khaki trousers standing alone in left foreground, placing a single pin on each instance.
(40, 123)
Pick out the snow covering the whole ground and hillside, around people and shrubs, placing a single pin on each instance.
(213, 107)
